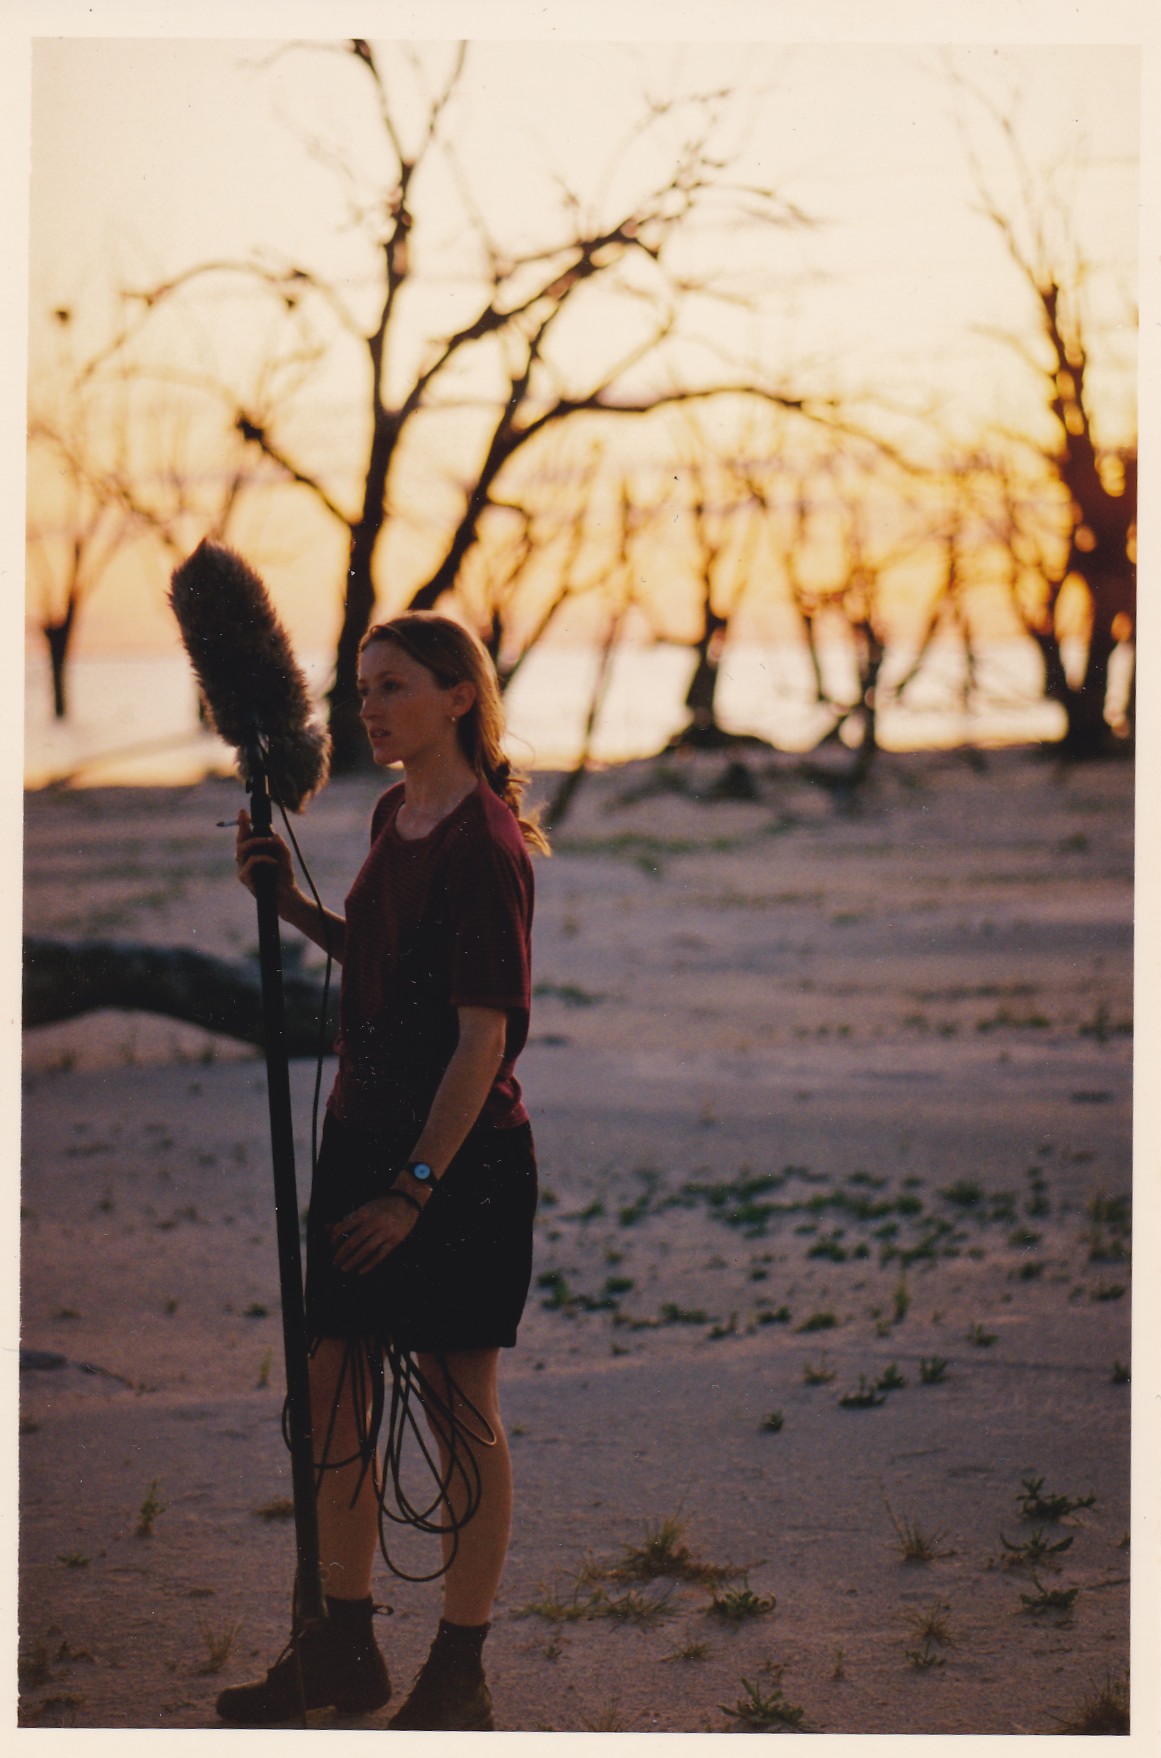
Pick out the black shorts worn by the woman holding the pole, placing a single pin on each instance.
(460, 1279)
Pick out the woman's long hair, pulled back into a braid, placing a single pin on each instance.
(455, 657)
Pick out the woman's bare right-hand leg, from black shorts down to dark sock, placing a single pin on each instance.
(478, 1564)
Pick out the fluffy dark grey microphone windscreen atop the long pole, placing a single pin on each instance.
(249, 676)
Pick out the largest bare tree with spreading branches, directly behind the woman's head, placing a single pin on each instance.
(515, 331)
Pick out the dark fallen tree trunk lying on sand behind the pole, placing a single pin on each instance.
(69, 978)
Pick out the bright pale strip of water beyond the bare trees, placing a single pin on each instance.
(135, 720)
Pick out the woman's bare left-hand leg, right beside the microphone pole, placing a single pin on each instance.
(347, 1537)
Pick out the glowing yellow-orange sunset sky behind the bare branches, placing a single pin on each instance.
(843, 231)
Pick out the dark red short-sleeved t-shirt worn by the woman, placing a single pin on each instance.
(434, 926)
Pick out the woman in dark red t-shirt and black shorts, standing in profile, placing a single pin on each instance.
(425, 1114)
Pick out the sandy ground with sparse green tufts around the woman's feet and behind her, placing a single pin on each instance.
(821, 1098)
